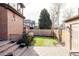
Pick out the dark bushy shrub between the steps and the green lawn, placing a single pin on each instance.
(26, 39)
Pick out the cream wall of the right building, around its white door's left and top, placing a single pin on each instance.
(67, 33)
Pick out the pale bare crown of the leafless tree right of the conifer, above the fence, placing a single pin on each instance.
(56, 13)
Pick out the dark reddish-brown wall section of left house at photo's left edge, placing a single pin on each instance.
(3, 23)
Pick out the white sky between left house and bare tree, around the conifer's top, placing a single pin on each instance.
(32, 10)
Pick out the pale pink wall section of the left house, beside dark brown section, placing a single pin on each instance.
(15, 25)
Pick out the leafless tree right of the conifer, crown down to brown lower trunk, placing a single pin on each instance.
(55, 17)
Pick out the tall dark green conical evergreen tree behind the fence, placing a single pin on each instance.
(44, 20)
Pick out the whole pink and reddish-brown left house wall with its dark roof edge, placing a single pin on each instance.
(11, 23)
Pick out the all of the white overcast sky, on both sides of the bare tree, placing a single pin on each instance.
(32, 10)
